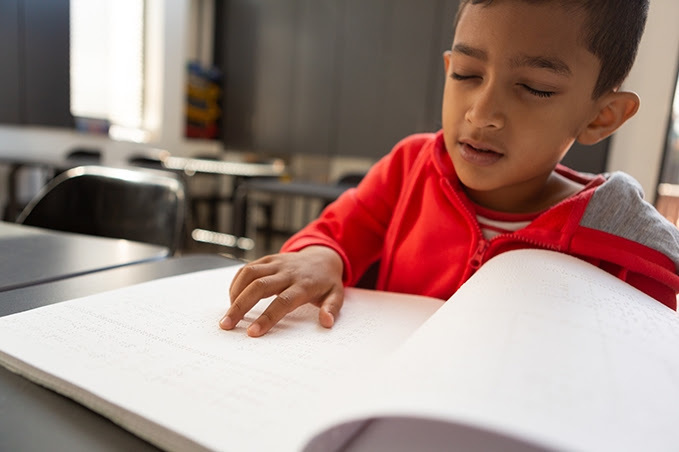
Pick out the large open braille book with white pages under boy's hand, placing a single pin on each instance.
(536, 351)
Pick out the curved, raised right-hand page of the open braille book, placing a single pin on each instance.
(539, 347)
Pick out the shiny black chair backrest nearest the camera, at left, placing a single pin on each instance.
(134, 204)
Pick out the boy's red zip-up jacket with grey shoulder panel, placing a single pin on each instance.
(411, 213)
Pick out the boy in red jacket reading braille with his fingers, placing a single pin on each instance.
(525, 79)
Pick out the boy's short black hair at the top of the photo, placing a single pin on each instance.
(612, 32)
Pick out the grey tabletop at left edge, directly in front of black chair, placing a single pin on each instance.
(30, 255)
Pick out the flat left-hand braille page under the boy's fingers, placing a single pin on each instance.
(152, 358)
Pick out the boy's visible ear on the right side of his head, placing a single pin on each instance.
(614, 109)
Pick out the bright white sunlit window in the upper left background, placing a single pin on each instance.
(107, 63)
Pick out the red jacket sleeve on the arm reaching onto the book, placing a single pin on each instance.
(356, 223)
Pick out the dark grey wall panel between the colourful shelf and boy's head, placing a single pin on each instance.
(331, 77)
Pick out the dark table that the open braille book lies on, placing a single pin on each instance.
(35, 418)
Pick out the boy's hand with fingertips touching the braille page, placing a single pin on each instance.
(311, 275)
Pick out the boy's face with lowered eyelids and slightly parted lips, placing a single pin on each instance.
(518, 93)
